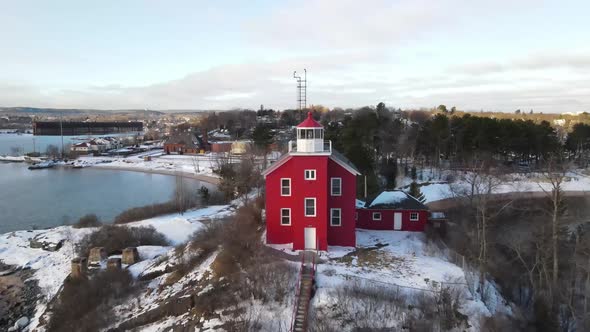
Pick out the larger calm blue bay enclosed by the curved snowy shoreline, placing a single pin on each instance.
(52, 197)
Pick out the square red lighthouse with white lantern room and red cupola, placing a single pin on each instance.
(310, 193)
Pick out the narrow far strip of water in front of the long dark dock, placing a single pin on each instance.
(29, 143)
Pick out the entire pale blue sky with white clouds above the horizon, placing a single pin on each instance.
(494, 55)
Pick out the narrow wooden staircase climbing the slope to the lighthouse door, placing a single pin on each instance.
(306, 289)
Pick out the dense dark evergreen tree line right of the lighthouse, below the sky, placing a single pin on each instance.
(377, 139)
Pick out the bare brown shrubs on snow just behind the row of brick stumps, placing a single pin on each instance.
(116, 238)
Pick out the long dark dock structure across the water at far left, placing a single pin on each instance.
(73, 128)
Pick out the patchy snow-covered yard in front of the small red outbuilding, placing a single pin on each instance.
(401, 261)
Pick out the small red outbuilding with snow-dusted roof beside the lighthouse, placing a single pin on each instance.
(392, 210)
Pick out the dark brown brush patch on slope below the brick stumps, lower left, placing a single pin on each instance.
(86, 304)
